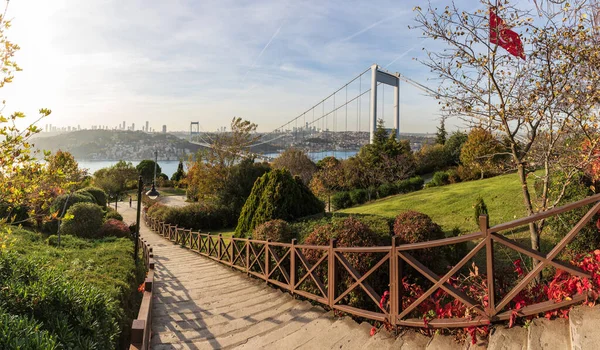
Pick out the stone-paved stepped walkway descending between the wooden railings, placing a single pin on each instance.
(201, 304)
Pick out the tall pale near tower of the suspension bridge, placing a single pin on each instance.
(379, 75)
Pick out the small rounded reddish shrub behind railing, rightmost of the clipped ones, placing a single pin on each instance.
(413, 227)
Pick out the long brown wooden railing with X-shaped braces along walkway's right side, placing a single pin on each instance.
(286, 266)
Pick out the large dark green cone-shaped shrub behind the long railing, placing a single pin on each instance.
(277, 195)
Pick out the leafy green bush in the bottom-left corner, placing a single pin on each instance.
(23, 332)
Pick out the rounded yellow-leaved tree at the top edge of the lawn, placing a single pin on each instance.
(481, 152)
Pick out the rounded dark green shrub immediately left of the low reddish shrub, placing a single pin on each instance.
(87, 218)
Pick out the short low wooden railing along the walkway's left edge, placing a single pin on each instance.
(142, 326)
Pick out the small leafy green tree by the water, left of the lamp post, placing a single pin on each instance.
(117, 179)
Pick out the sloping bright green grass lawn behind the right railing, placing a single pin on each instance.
(452, 206)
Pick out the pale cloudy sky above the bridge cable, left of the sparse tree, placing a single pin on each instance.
(172, 62)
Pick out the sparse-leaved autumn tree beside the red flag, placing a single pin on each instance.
(536, 102)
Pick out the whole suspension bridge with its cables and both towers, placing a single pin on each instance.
(339, 124)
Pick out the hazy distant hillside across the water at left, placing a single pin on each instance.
(115, 145)
